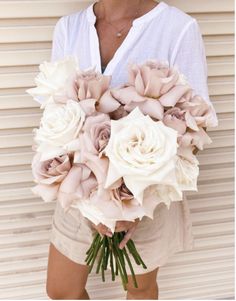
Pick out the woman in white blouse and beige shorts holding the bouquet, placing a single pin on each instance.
(108, 35)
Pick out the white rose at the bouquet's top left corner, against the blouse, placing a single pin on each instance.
(55, 79)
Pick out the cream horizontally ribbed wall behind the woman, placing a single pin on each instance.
(25, 221)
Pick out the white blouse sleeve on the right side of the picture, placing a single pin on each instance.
(190, 57)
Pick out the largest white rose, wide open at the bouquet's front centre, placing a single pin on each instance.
(142, 151)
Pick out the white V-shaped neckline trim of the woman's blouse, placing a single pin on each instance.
(136, 27)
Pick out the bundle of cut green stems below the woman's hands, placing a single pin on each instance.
(106, 249)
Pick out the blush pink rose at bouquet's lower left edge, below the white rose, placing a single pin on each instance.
(49, 174)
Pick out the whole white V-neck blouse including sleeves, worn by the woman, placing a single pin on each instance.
(163, 33)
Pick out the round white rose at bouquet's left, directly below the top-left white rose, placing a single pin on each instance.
(59, 128)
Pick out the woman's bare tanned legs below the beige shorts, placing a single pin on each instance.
(66, 280)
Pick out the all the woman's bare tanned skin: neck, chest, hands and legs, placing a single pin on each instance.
(67, 279)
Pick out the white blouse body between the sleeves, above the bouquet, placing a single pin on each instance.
(152, 36)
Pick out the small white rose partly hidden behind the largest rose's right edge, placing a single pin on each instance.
(187, 173)
